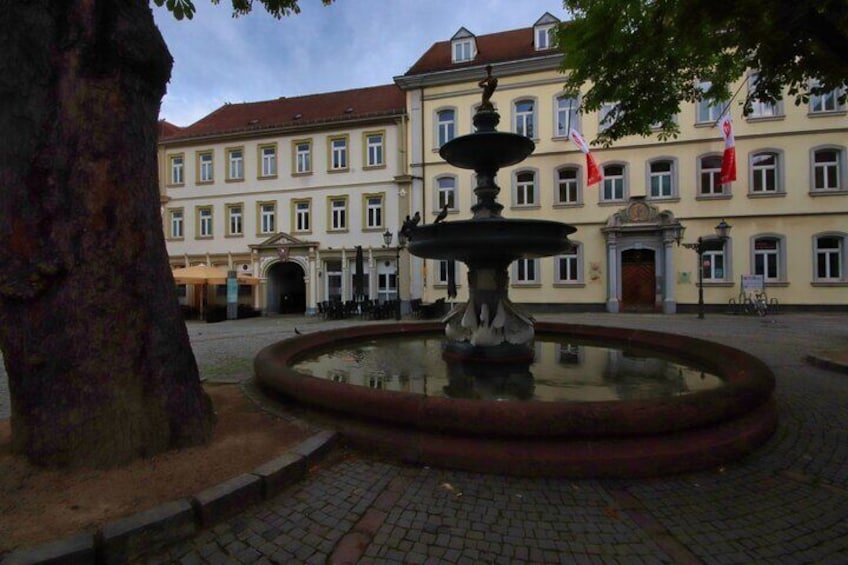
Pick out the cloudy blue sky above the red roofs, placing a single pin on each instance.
(349, 44)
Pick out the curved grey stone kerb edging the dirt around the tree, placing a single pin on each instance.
(129, 538)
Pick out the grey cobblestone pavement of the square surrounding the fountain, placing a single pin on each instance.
(785, 503)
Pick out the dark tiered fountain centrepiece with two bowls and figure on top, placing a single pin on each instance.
(488, 326)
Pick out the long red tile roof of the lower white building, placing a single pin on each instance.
(328, 107)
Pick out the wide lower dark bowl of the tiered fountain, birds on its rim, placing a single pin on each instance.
(497, 240)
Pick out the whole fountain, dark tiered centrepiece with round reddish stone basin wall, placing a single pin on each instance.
(490, 338)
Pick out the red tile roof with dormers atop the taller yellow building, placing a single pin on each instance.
(491, 48)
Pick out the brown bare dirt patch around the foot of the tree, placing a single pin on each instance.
(39, 505)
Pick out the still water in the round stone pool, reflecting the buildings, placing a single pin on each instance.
(561, 371)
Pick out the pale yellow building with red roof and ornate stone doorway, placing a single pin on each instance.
(788, 207)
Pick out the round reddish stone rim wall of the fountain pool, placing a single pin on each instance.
(624, 438)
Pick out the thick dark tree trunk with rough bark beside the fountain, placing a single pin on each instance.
(100, 367)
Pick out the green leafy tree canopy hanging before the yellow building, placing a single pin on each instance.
(651, 55)
